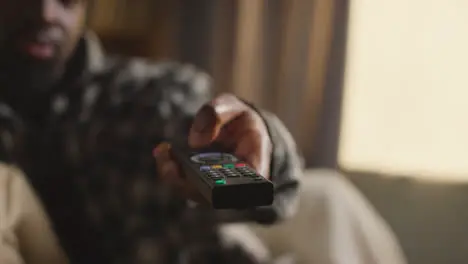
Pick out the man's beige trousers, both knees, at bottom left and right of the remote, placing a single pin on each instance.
(334, 225)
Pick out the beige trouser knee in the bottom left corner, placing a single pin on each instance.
(25, 233)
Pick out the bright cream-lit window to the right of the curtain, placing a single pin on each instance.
(405, 108)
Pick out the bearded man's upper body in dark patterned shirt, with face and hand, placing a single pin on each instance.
(83, 128)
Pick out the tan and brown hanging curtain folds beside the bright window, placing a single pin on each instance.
(279, 60)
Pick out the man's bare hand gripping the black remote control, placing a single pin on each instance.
(230, 122)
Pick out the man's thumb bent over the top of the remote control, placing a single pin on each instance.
(212, 117)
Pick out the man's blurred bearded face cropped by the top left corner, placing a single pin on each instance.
(38, 36)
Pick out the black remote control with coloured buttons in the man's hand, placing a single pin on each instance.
(225, 181)
